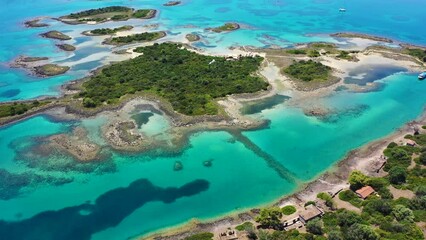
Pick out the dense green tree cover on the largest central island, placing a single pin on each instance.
(189, 81)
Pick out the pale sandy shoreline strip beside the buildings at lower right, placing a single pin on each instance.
(331, 180)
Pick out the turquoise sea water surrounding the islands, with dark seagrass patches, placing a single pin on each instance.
(47, 195)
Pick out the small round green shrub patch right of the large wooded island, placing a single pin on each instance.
(308, 71)
